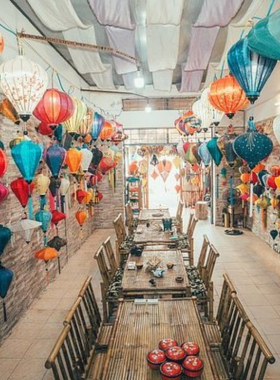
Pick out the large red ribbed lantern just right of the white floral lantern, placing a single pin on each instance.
(55, 107)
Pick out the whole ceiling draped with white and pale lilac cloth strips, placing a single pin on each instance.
(178, 44)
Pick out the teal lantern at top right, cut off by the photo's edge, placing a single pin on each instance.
(264, 38)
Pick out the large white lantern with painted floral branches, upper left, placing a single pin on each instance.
(23, 82)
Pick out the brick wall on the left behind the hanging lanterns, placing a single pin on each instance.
(29, 274)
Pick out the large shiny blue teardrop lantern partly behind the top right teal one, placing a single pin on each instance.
(250, 69)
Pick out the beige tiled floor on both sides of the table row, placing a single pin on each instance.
(252, 265)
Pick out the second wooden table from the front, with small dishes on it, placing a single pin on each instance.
(136, 283)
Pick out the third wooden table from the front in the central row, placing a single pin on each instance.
(152, 234)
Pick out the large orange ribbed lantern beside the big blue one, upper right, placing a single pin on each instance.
(227, 96)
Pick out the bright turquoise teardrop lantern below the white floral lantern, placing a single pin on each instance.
(27, 156)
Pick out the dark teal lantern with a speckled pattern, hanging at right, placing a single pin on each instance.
(252, 146)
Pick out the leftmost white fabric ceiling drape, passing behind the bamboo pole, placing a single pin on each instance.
(50, 12)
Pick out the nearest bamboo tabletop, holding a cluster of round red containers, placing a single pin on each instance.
(138, 330)
